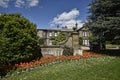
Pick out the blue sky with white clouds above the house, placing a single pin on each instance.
(49, 13)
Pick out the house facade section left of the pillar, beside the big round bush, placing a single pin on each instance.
(46, 34)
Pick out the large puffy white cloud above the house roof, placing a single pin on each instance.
(67, 19)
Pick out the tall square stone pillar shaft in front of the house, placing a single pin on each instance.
(75, 40)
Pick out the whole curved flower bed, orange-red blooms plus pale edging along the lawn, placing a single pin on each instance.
(47, 61)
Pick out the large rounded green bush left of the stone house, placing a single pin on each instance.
(18, 39)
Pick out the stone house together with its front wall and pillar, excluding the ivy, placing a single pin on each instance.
(71, 41)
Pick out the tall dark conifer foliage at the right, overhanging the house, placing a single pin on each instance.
(104, 20)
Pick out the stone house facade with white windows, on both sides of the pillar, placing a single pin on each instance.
(83, 33)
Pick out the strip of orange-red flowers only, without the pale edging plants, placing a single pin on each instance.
(49, 59)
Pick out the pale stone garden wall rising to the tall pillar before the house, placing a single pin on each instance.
(72, 41)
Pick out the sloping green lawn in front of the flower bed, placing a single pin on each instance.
(102, 68)
